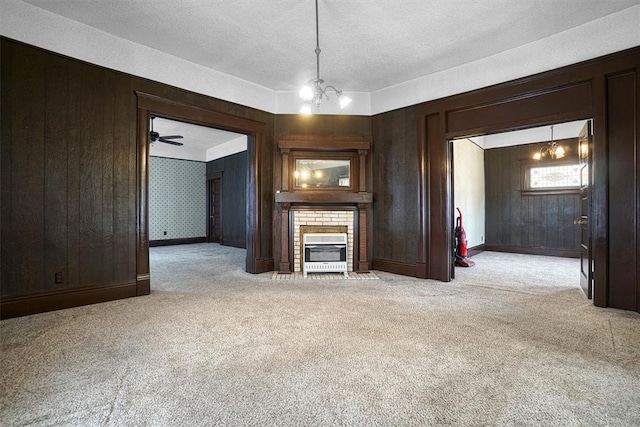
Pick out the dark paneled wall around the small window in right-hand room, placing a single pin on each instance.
(538, 224)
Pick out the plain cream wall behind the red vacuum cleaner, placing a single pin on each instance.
(469, 189)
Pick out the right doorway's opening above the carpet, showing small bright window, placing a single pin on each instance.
(513, 203)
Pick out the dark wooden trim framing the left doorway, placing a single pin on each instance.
(255, 135)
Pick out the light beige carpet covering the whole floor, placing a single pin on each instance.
(512, 341)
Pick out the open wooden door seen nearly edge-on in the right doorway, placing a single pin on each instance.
(586, 261)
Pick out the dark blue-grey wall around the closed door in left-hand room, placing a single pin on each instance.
(234, 197)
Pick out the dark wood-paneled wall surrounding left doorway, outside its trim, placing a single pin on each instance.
(69, 178)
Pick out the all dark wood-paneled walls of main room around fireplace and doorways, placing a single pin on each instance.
(69, 179)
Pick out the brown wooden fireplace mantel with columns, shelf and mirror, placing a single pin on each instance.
(354, 194)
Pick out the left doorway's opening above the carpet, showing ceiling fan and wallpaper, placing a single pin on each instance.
(186, 203)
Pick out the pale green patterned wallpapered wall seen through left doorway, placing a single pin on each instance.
(177, 199)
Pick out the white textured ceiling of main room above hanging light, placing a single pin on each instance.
(366, 45)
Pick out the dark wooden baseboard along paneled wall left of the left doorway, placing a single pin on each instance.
(68, 298)
